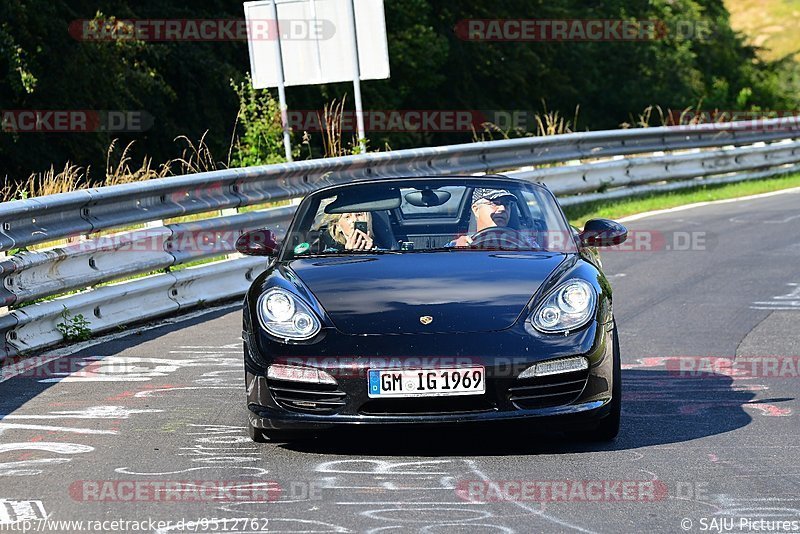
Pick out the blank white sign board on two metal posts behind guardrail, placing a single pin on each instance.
(316, 41)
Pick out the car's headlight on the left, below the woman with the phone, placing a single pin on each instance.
(286, 316)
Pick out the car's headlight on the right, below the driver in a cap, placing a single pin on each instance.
(568, 307)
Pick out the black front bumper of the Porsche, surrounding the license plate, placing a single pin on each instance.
(503, 354)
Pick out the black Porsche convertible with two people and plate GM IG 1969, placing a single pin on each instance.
(431, 301)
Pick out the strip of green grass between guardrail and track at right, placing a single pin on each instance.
(615, 209)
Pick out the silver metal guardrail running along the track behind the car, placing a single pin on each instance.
(594, 165)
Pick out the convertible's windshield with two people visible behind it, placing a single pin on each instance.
(434, 215)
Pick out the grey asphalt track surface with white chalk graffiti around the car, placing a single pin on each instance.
(166, 404)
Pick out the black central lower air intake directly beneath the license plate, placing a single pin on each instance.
(427, 406)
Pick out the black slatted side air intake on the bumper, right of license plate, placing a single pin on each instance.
(548, 391)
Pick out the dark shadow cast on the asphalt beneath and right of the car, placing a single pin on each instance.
(659, 408)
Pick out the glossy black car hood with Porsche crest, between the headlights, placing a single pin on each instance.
(465, 291)
